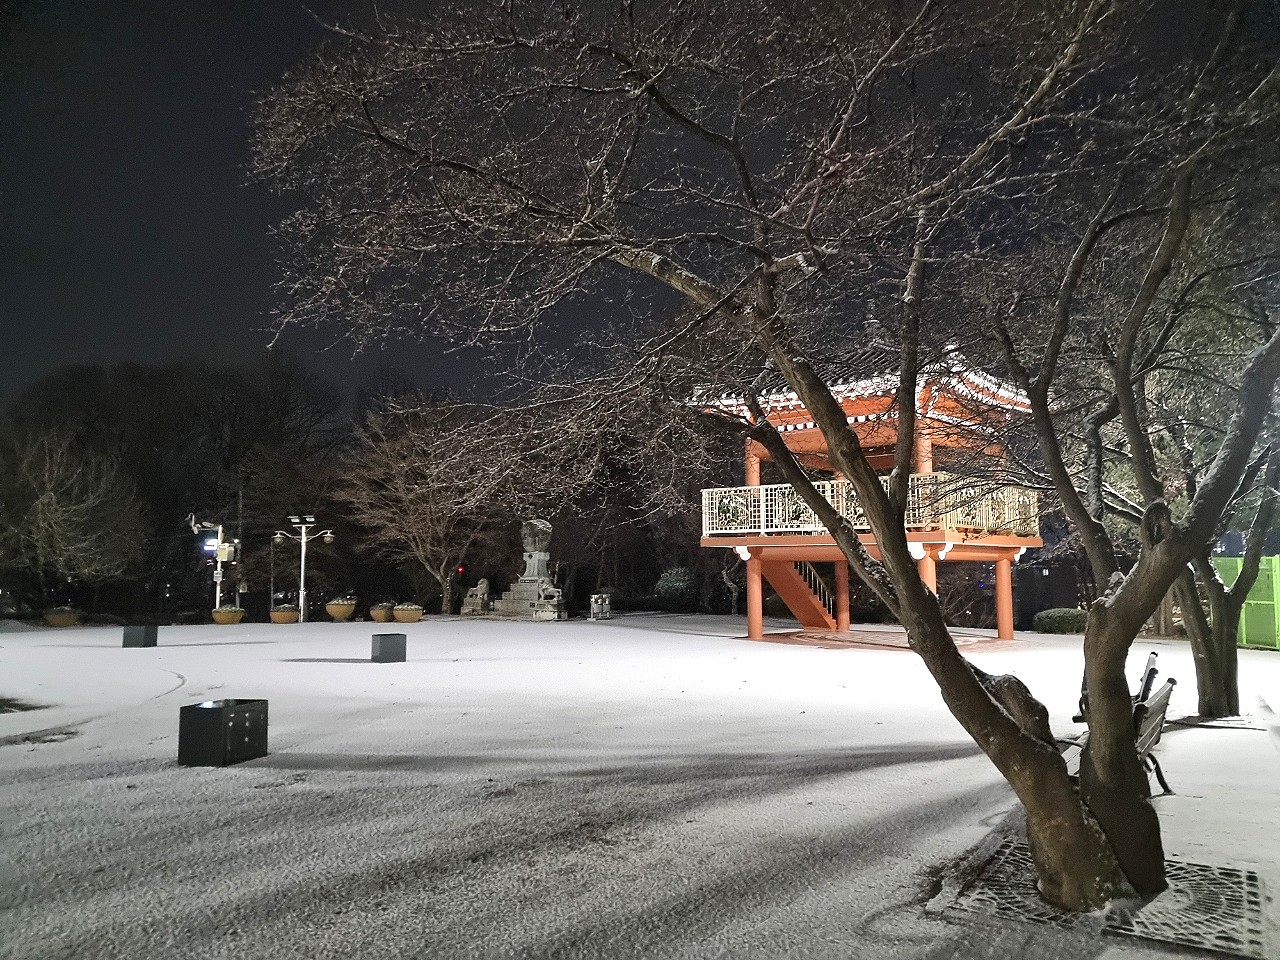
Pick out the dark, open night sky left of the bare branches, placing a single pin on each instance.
(127, 230)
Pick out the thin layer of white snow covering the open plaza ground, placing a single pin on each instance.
(652, 787)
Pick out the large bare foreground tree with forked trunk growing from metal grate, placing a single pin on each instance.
(792, 172)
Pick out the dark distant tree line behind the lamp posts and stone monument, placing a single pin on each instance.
(102, 467)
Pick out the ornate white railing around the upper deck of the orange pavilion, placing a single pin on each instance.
(935, 501)
